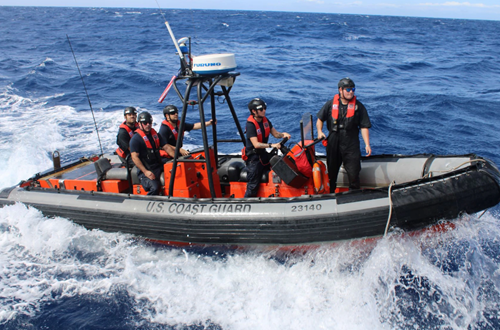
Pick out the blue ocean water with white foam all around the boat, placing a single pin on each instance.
(430, 86)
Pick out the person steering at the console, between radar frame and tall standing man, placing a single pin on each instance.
(258, 128)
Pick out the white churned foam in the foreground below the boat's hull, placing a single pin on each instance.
(352, 285)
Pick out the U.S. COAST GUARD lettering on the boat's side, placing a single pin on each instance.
(186, 208)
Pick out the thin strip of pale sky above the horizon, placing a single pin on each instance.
(475, 9)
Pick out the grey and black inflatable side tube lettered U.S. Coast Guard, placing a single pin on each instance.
(299, 220)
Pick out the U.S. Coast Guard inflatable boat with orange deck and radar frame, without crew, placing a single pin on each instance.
(203, 203)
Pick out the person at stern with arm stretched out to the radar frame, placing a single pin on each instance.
(169, 129)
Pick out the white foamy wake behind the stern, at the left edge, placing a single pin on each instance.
(37, 130)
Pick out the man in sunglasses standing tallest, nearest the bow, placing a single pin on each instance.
(345, 116)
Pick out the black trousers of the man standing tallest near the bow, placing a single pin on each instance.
(350, 156)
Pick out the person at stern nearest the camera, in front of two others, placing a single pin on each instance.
(145, 147)
